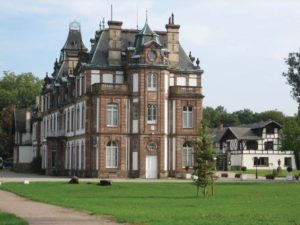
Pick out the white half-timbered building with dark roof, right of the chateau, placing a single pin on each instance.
(256, 145)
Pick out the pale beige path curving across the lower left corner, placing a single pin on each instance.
(43, 214)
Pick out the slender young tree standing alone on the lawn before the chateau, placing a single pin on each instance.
(204, 155)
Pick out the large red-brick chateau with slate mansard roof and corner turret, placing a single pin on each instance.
(129, 107)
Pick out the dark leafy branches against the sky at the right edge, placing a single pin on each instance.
(293, 75)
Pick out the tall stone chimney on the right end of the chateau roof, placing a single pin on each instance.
(173, 41)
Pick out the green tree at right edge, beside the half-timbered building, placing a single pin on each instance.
(291, 137)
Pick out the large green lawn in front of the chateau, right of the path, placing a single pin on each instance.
(175, 203)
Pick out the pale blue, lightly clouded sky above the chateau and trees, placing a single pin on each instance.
(241, 44)
